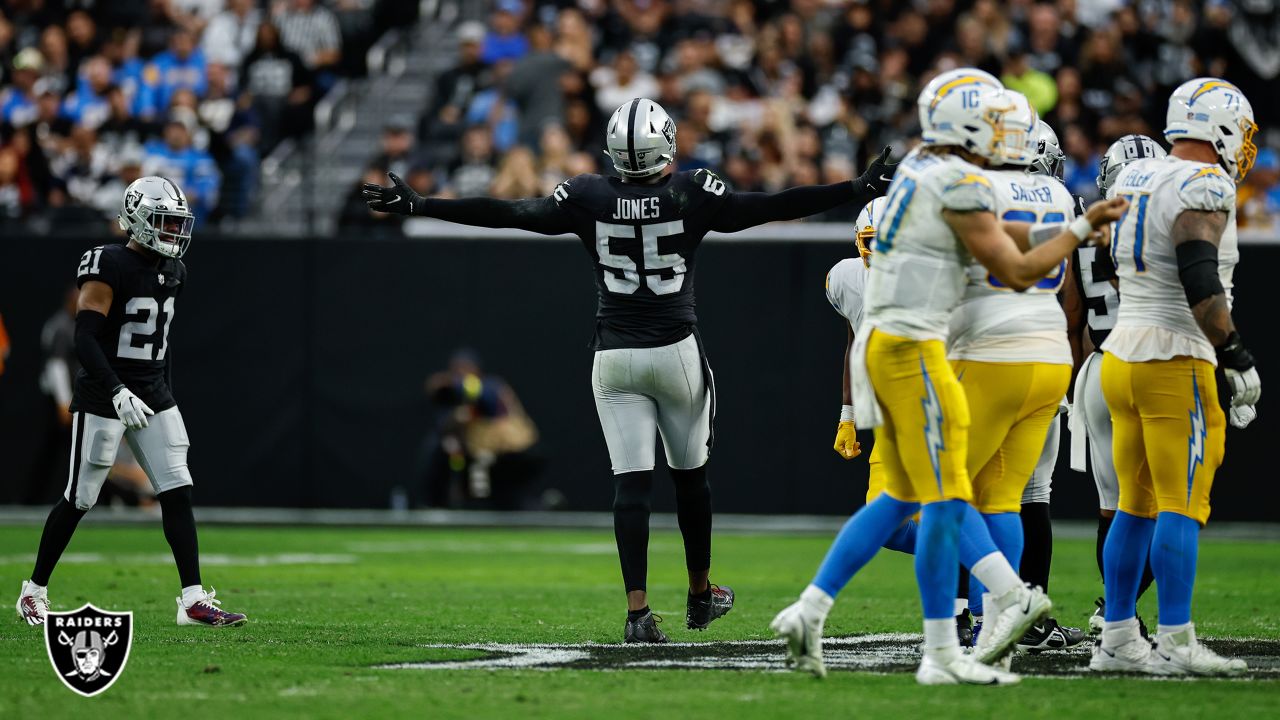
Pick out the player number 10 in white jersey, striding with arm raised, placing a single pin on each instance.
(939, 213)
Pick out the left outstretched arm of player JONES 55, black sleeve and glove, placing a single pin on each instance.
(540, 215)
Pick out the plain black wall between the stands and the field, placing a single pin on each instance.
(300, 368)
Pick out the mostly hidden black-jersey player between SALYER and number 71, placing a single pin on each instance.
(1092, 281)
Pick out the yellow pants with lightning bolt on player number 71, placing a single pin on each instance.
(1169, 434)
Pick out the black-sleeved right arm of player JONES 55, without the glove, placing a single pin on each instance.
(743, 211)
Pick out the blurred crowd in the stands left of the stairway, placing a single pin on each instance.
(97, 93)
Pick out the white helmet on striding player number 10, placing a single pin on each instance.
(971, 117)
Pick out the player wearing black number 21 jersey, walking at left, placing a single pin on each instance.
(124, 390)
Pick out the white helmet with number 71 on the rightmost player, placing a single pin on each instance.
(1217, 112)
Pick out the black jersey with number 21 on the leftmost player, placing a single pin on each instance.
(136, 335)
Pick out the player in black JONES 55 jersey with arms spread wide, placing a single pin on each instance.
(651, 375)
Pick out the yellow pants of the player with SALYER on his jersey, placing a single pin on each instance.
(1012, 407)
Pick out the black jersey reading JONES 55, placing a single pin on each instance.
(643, 240)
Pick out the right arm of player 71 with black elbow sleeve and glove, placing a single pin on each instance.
(1196, 235)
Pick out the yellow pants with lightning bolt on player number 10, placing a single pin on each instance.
(924, 441)
